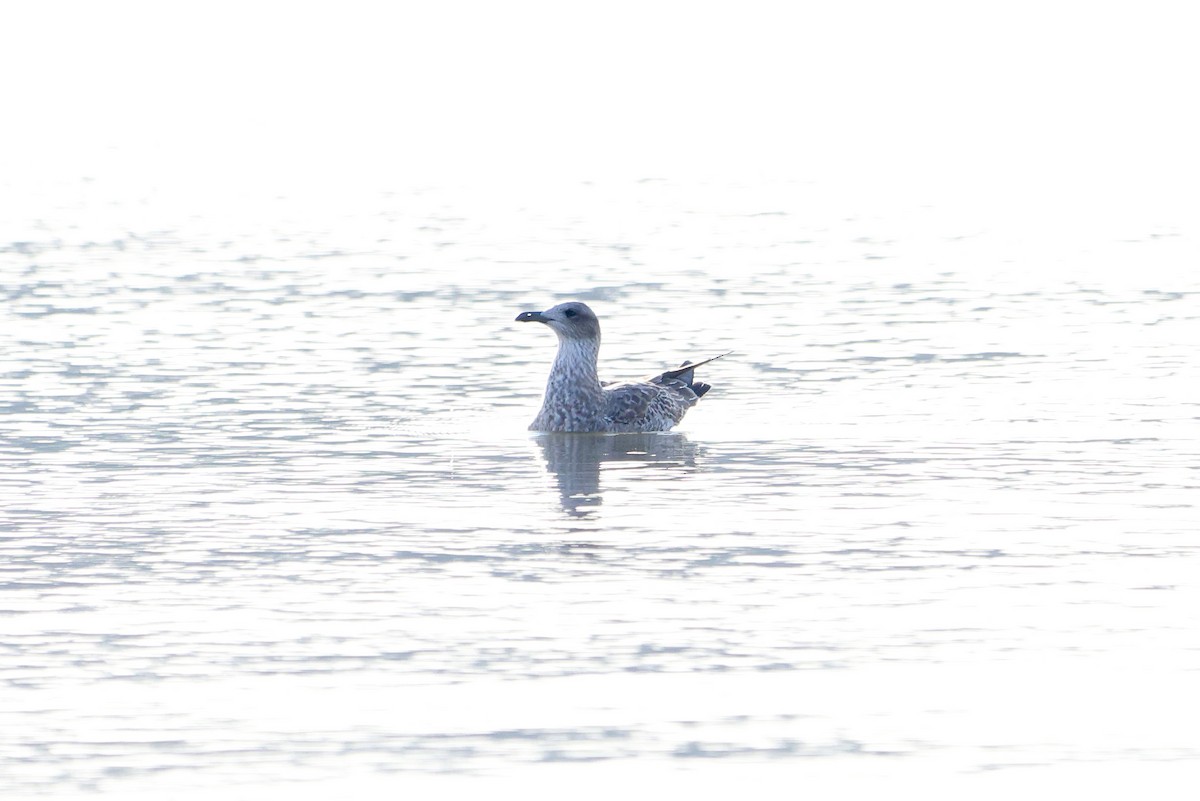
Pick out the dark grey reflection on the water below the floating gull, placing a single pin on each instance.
(575, 460)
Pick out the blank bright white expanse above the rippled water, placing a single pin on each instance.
(1073, 92)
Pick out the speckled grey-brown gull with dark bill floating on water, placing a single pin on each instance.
(577, 400)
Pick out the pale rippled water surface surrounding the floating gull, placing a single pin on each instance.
(273, 522)
